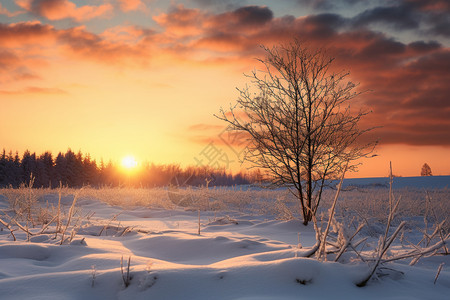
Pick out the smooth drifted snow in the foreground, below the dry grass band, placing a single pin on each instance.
(239, 254)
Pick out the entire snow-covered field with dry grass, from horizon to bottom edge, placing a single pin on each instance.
(248, 246)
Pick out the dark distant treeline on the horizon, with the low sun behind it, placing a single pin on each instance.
(76, 170)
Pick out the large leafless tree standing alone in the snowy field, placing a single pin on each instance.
(295, 115)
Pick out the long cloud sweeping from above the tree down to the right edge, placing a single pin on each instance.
(408, 79)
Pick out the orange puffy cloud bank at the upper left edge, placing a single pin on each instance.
(28, 48)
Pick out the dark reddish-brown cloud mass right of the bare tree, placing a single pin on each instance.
(411, 99)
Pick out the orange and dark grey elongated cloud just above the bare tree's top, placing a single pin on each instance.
(241, 30)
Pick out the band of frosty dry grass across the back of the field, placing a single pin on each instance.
(39, 206)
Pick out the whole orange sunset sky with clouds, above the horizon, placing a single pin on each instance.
(145, 77)
